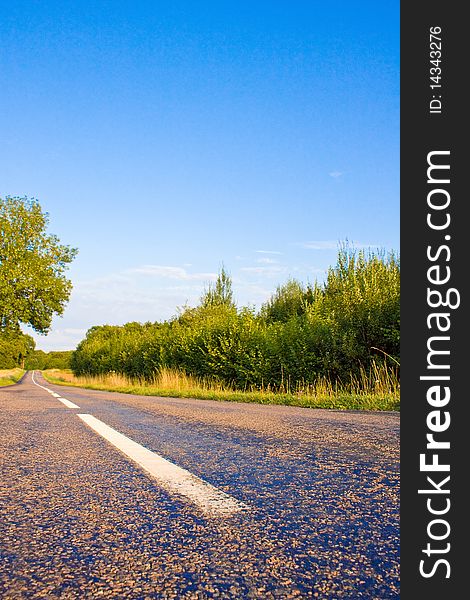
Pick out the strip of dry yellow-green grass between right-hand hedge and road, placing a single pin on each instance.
(376, 390)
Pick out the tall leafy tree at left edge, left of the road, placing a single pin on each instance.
(33, 286)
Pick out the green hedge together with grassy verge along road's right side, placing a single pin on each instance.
(334, 344)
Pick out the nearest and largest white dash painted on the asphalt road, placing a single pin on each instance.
(173, 478)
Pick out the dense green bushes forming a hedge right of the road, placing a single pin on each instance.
(301, 334)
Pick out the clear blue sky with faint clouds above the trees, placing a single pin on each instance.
(168, 138)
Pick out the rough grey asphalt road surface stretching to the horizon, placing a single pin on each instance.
(80, 519)
